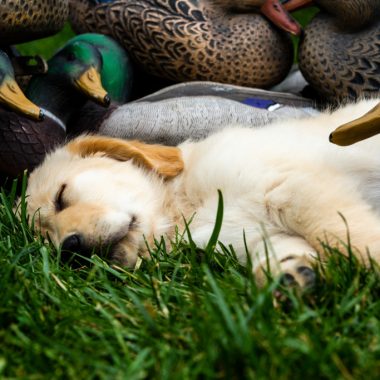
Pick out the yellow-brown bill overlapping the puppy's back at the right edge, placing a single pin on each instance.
(366, 126)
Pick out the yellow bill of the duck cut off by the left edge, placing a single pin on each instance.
(12, 96)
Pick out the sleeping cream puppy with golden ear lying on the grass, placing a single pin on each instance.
(285, 189)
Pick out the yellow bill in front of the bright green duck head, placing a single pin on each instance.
(91, 85)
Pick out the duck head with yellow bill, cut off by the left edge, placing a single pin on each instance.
(10, 93)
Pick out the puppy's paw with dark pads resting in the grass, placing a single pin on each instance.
(288, 257)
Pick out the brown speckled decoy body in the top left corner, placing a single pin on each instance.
(23, 21)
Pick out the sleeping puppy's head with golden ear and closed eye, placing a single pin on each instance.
(102, 193)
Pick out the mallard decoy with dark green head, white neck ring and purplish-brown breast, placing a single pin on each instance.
(72, 78)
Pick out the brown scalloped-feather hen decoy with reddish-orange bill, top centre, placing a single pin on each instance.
(211, 40)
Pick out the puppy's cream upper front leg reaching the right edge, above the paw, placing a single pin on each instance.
(316, 208)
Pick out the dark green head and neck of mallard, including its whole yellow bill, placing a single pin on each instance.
(72, 78)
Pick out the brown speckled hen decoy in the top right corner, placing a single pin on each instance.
(339, 54)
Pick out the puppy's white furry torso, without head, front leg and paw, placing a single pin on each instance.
(273, 178)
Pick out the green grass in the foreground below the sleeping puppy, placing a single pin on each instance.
(185, 314)
